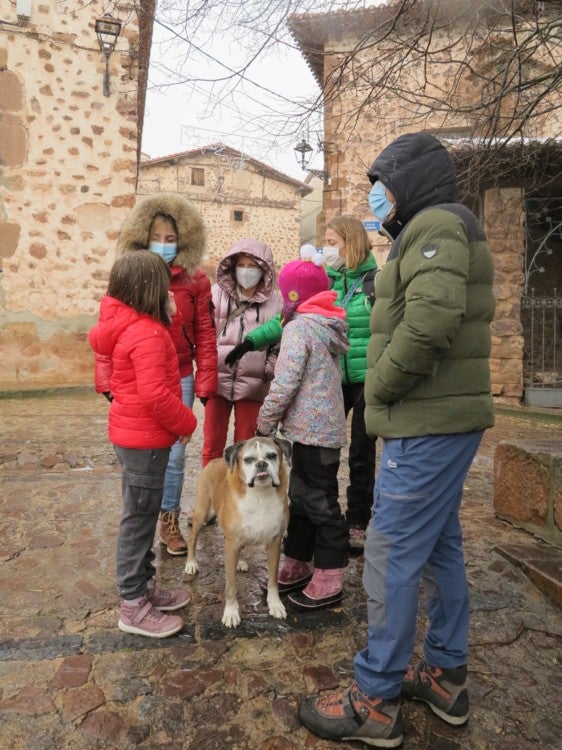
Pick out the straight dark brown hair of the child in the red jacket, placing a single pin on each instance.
(142, 280)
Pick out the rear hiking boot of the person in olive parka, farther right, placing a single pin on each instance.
(444, 691)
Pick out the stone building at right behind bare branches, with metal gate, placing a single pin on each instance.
(354, 134)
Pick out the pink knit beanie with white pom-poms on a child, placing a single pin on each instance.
(301, 279)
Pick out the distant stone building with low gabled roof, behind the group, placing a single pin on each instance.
(237, 196)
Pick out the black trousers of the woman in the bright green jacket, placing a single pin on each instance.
(361, 459)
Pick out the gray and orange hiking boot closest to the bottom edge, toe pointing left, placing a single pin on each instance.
(351, 715)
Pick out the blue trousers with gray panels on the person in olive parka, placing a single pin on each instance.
(416, 534)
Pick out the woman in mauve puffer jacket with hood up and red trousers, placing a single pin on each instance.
(244, 297)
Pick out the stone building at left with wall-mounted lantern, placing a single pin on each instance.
(68, 173)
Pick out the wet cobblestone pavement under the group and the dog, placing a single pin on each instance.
(70, 679)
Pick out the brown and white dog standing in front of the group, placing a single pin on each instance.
(247, 491)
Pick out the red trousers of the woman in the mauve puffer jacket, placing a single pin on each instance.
(215, 425)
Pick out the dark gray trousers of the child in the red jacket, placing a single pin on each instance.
(142, 485)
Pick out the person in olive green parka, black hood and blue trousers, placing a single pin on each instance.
(428, 396)
